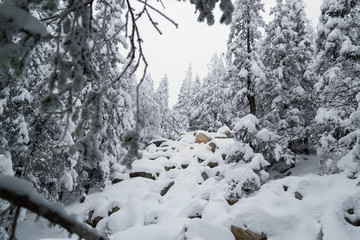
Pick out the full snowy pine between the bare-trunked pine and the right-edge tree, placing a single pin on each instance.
(287, 56)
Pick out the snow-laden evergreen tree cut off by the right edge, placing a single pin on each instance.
(337, 65)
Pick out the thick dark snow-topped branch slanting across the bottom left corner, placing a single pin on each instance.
(22, 194)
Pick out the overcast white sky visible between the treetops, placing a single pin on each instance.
(171, 52)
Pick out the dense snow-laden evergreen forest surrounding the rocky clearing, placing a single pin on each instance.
(72, 113)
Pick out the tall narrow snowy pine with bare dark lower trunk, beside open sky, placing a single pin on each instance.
(245, 66)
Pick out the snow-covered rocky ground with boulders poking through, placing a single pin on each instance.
(183, 191)
